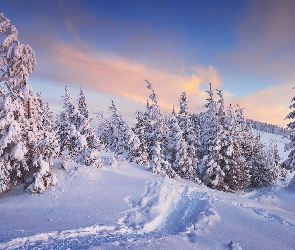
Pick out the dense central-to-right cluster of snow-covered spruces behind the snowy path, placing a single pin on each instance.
(232, 157)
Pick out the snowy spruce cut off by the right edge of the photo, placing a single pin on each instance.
(290, 162)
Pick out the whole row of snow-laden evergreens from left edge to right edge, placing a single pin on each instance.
(216, 147)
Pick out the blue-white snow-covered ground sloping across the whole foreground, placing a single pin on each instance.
(127, 207)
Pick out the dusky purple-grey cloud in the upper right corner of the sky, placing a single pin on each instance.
(265, 38)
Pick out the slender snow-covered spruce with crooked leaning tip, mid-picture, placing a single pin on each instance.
(156, 131)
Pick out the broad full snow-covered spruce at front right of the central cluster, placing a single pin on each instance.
(225, 165)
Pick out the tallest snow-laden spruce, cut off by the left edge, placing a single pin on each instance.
(20, 138)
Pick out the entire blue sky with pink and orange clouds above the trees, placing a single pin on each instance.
(108, 48)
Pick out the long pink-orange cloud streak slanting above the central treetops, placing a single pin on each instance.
(108, 73)
